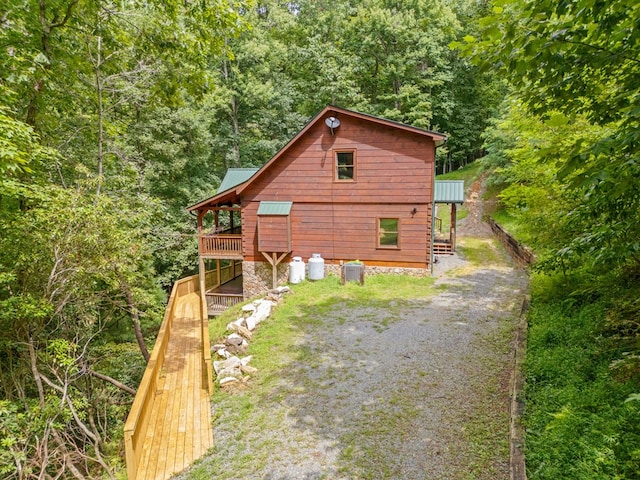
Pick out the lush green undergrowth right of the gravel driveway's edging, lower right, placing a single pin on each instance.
(578, 424)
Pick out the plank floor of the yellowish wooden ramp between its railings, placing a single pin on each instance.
(179, 430)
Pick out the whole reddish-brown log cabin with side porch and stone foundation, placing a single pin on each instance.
(348, 186)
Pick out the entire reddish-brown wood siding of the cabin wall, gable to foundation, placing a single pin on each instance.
(339, 219)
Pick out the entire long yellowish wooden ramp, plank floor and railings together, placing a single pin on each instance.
(170, 425)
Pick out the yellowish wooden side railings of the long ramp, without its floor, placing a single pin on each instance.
(135, 428)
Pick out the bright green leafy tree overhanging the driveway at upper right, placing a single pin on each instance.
(580, 59)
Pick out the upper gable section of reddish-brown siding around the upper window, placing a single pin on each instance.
(393, 166)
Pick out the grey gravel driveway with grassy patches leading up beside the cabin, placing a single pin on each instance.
(409, 391)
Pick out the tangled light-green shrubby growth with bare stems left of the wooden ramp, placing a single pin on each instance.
(71, 266)
